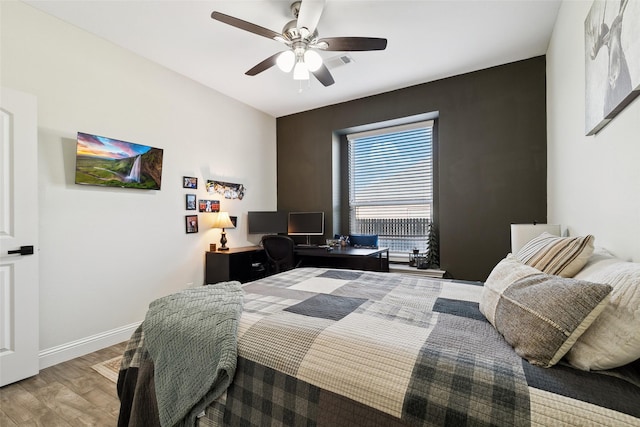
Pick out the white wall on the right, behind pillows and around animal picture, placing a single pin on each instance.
(593, 181)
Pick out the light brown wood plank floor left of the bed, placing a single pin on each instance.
(68, 394)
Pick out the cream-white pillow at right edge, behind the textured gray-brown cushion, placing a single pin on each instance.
(613, 339)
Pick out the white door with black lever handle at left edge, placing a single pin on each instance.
(19, 305)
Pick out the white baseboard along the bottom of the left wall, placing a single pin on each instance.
(62, 353)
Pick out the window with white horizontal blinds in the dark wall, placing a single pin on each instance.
(391, 185)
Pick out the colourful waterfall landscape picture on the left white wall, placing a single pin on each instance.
(110, 162)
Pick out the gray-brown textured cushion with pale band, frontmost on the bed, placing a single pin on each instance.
(541, 316)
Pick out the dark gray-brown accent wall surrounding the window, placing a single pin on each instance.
(491, 157)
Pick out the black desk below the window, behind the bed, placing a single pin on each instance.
(344, 257)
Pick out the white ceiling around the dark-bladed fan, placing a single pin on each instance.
(427, 40)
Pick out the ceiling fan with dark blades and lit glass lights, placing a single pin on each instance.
(301, 37)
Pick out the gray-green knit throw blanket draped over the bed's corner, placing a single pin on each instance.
(191, 337)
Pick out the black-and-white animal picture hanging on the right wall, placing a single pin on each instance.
(612, 60)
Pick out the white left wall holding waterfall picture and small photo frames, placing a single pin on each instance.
(106, 253)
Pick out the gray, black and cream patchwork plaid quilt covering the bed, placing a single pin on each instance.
(330, 347)
